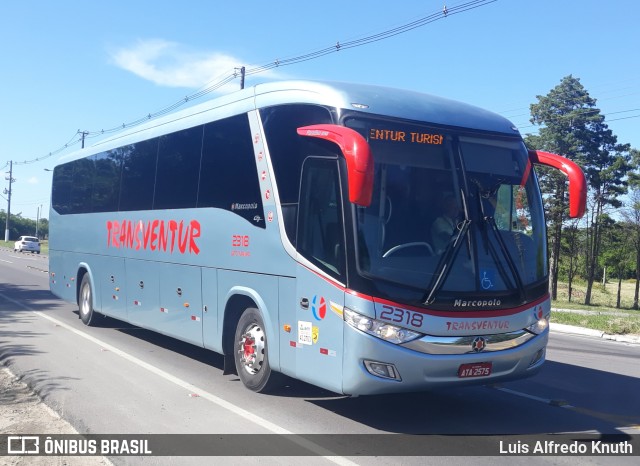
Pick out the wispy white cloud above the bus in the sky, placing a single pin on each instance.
(171, 64)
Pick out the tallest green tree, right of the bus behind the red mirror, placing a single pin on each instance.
(572, 126)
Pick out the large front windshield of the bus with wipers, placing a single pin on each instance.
(450, 212)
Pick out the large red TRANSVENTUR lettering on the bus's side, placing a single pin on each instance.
(154, 235)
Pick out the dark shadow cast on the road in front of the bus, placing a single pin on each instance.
(612, 404)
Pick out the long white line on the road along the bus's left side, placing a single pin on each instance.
(268, 425)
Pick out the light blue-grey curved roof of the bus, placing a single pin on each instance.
(376, 100)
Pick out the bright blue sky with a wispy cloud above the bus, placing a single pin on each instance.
(74, 65)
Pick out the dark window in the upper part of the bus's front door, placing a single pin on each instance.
(320, 227)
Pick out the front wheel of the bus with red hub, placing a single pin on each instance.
(251, 353)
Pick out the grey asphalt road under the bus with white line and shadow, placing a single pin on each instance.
(116, 378)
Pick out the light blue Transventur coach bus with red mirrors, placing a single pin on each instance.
(362, 239)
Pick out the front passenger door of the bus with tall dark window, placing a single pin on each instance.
(318, 330)
